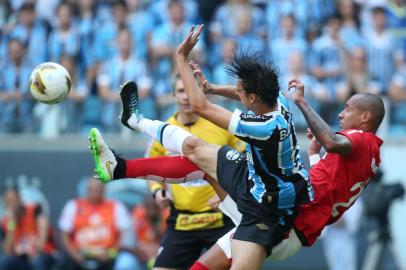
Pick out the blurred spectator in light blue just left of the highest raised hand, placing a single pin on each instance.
(165, 40)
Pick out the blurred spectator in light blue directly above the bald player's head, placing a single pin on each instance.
(383, 51)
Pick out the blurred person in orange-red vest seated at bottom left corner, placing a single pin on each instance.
(26, 231)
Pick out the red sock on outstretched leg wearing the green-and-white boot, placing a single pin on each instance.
(171, 169)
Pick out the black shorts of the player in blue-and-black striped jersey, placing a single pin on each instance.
(260, 224)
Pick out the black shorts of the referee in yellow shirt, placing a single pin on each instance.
(180, 249)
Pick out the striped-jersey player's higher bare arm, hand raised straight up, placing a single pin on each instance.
(199, 103)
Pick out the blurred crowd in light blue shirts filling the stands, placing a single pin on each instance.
(337, 48)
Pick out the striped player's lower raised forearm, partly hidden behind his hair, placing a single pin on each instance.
(229, 91)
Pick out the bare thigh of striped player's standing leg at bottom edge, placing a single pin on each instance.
(247, 255)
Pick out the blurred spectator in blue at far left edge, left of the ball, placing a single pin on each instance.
(15, 99)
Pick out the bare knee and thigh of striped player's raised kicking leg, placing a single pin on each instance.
(202, 154)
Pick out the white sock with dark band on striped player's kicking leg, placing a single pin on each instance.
(170, 136)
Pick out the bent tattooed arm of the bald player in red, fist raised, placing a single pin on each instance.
(333, 143)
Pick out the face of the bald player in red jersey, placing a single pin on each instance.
(351, 116)
